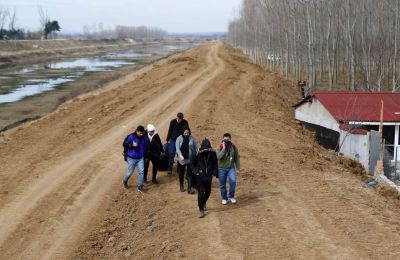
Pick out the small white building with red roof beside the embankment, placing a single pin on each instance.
(348, 122)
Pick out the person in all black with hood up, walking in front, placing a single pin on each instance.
(204, 167)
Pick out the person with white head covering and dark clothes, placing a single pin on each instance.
(154, 152)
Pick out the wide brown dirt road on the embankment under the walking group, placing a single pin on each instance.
(62, 197)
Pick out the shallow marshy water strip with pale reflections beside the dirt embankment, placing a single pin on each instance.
(17, 83)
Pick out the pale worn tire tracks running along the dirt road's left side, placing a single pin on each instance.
(71, 167)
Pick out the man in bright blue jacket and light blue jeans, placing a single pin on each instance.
(137, 146)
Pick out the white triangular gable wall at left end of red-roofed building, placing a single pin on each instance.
(315, 113)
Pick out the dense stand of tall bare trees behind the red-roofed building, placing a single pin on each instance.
(334, 44)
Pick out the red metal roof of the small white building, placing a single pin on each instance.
(359, 106)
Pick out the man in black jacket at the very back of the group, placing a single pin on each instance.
(175, 129)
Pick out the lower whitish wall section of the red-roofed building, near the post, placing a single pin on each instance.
(355, 147)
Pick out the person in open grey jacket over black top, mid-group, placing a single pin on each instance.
(186, 149)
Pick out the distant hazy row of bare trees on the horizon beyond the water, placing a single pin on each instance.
(142, 33)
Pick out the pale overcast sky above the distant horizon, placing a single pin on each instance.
(171, 15)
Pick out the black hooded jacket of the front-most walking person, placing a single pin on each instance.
(205, 163)
